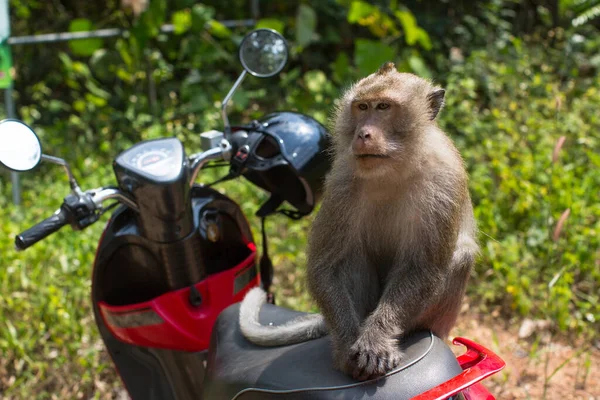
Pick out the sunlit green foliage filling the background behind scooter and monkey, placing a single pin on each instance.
(510, 97)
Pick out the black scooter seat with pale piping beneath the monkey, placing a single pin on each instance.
(238, 369)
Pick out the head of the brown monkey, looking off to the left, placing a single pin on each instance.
(382, 118)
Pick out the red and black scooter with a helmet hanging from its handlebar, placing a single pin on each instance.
(176, 258)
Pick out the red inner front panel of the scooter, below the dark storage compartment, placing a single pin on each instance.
(169, 321)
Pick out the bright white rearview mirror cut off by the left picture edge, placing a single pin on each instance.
(20, 148)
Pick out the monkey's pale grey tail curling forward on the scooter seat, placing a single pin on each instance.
(297, 330)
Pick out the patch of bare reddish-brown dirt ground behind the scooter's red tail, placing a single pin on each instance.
(537, 367)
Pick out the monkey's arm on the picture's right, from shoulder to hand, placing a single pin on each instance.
(414, 287)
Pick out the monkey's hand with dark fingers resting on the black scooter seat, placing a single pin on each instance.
(370, 359)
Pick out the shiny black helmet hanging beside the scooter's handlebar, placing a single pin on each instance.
(285, 153)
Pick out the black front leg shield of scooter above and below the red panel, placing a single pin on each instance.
(131, 268)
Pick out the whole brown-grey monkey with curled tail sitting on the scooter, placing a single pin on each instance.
(392, 246)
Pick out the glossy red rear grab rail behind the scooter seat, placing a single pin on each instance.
(477, 363)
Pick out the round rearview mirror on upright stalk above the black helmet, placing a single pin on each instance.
(263, 53)
